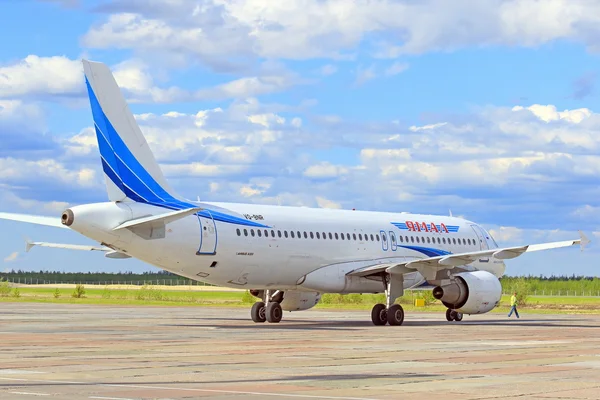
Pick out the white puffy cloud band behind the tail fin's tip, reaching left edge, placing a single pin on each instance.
(60, 77)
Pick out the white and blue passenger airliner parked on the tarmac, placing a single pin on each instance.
(287, 257)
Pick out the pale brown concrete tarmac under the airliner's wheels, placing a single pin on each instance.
(113, 352)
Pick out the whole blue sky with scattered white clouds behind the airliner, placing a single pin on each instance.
(490, 111)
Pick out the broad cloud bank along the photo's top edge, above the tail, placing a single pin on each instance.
(221, 33)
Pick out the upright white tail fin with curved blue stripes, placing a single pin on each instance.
(130, 168)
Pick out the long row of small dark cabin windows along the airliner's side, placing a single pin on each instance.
(353, 236)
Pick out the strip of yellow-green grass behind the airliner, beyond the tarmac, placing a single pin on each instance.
(150, 296)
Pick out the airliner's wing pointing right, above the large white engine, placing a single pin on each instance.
(428, 267)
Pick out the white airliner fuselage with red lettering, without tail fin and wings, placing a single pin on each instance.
(284, 244)
